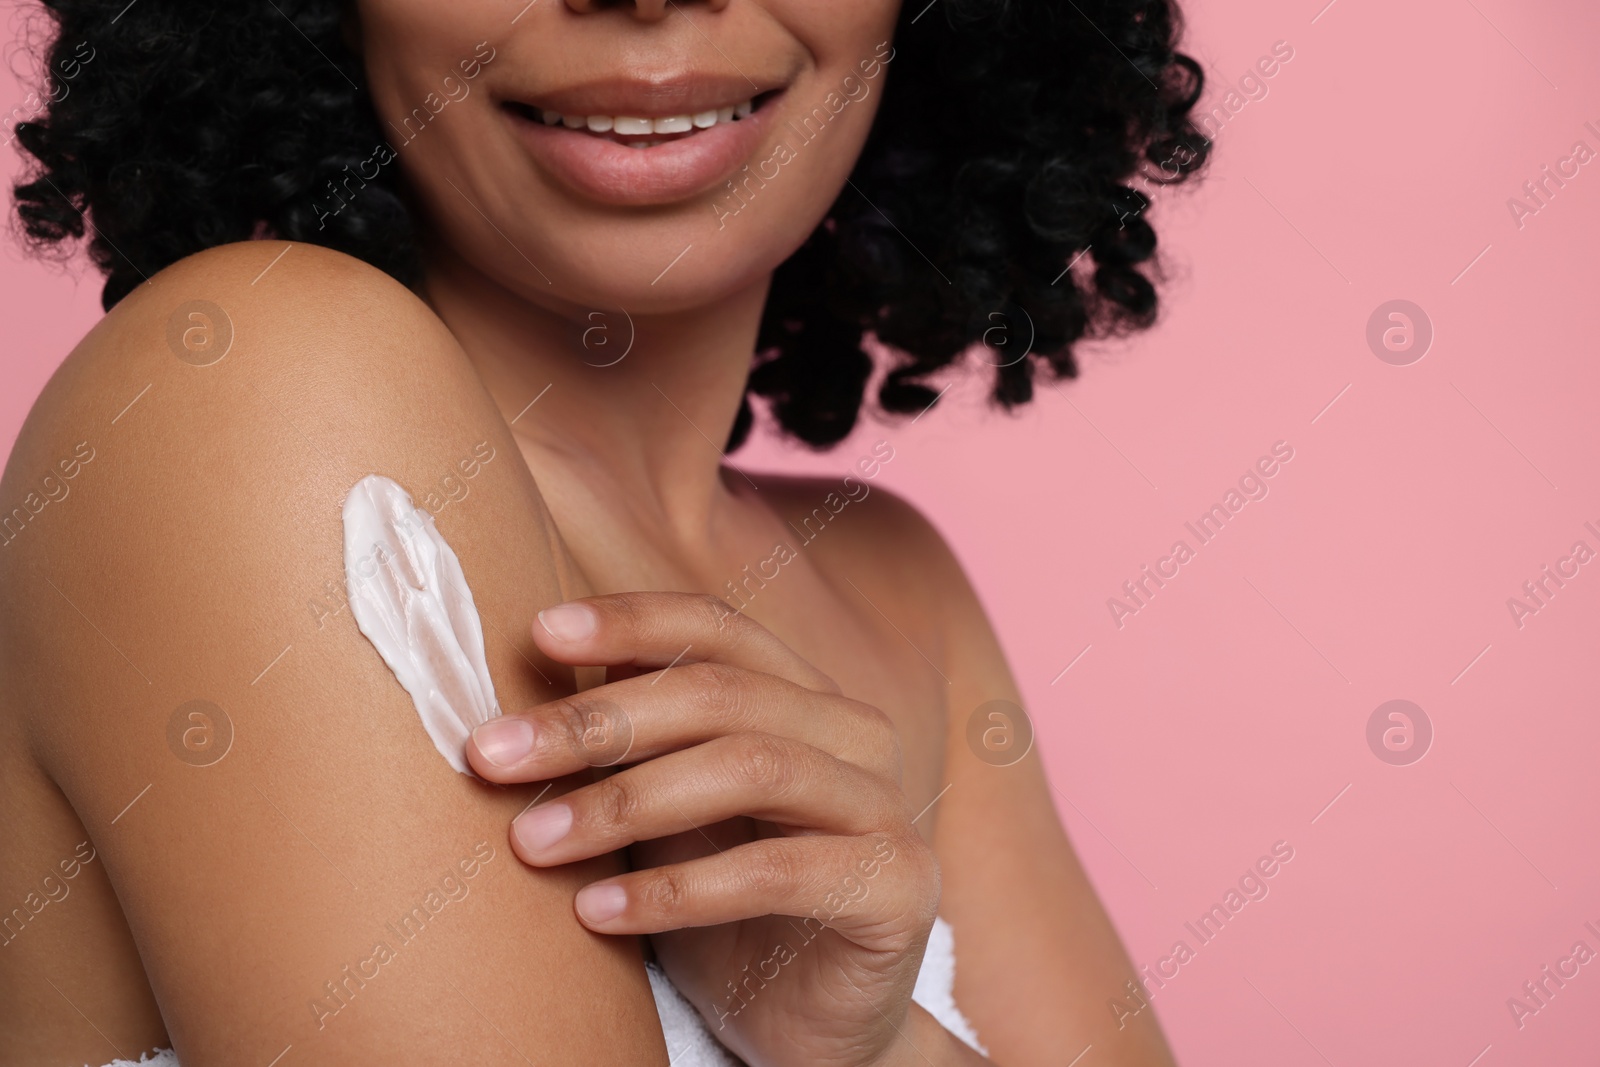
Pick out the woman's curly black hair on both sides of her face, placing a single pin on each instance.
(1007, 150)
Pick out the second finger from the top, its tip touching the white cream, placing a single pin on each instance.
(641, 719)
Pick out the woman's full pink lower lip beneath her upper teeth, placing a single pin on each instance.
(604, 167)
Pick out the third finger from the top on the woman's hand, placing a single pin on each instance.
(754, 775)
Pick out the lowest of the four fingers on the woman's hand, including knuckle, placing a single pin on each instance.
(878, 890)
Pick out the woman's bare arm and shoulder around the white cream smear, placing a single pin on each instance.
(329, 885)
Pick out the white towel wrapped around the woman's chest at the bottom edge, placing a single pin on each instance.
(690, 1042)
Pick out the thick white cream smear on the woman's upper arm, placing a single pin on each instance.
(412, 602)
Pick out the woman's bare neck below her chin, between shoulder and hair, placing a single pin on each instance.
(646, 428)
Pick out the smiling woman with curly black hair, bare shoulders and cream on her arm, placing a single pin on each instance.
(534, 263)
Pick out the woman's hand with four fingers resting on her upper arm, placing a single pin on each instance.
(777, 865)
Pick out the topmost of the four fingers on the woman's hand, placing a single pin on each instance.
(657, 629)
